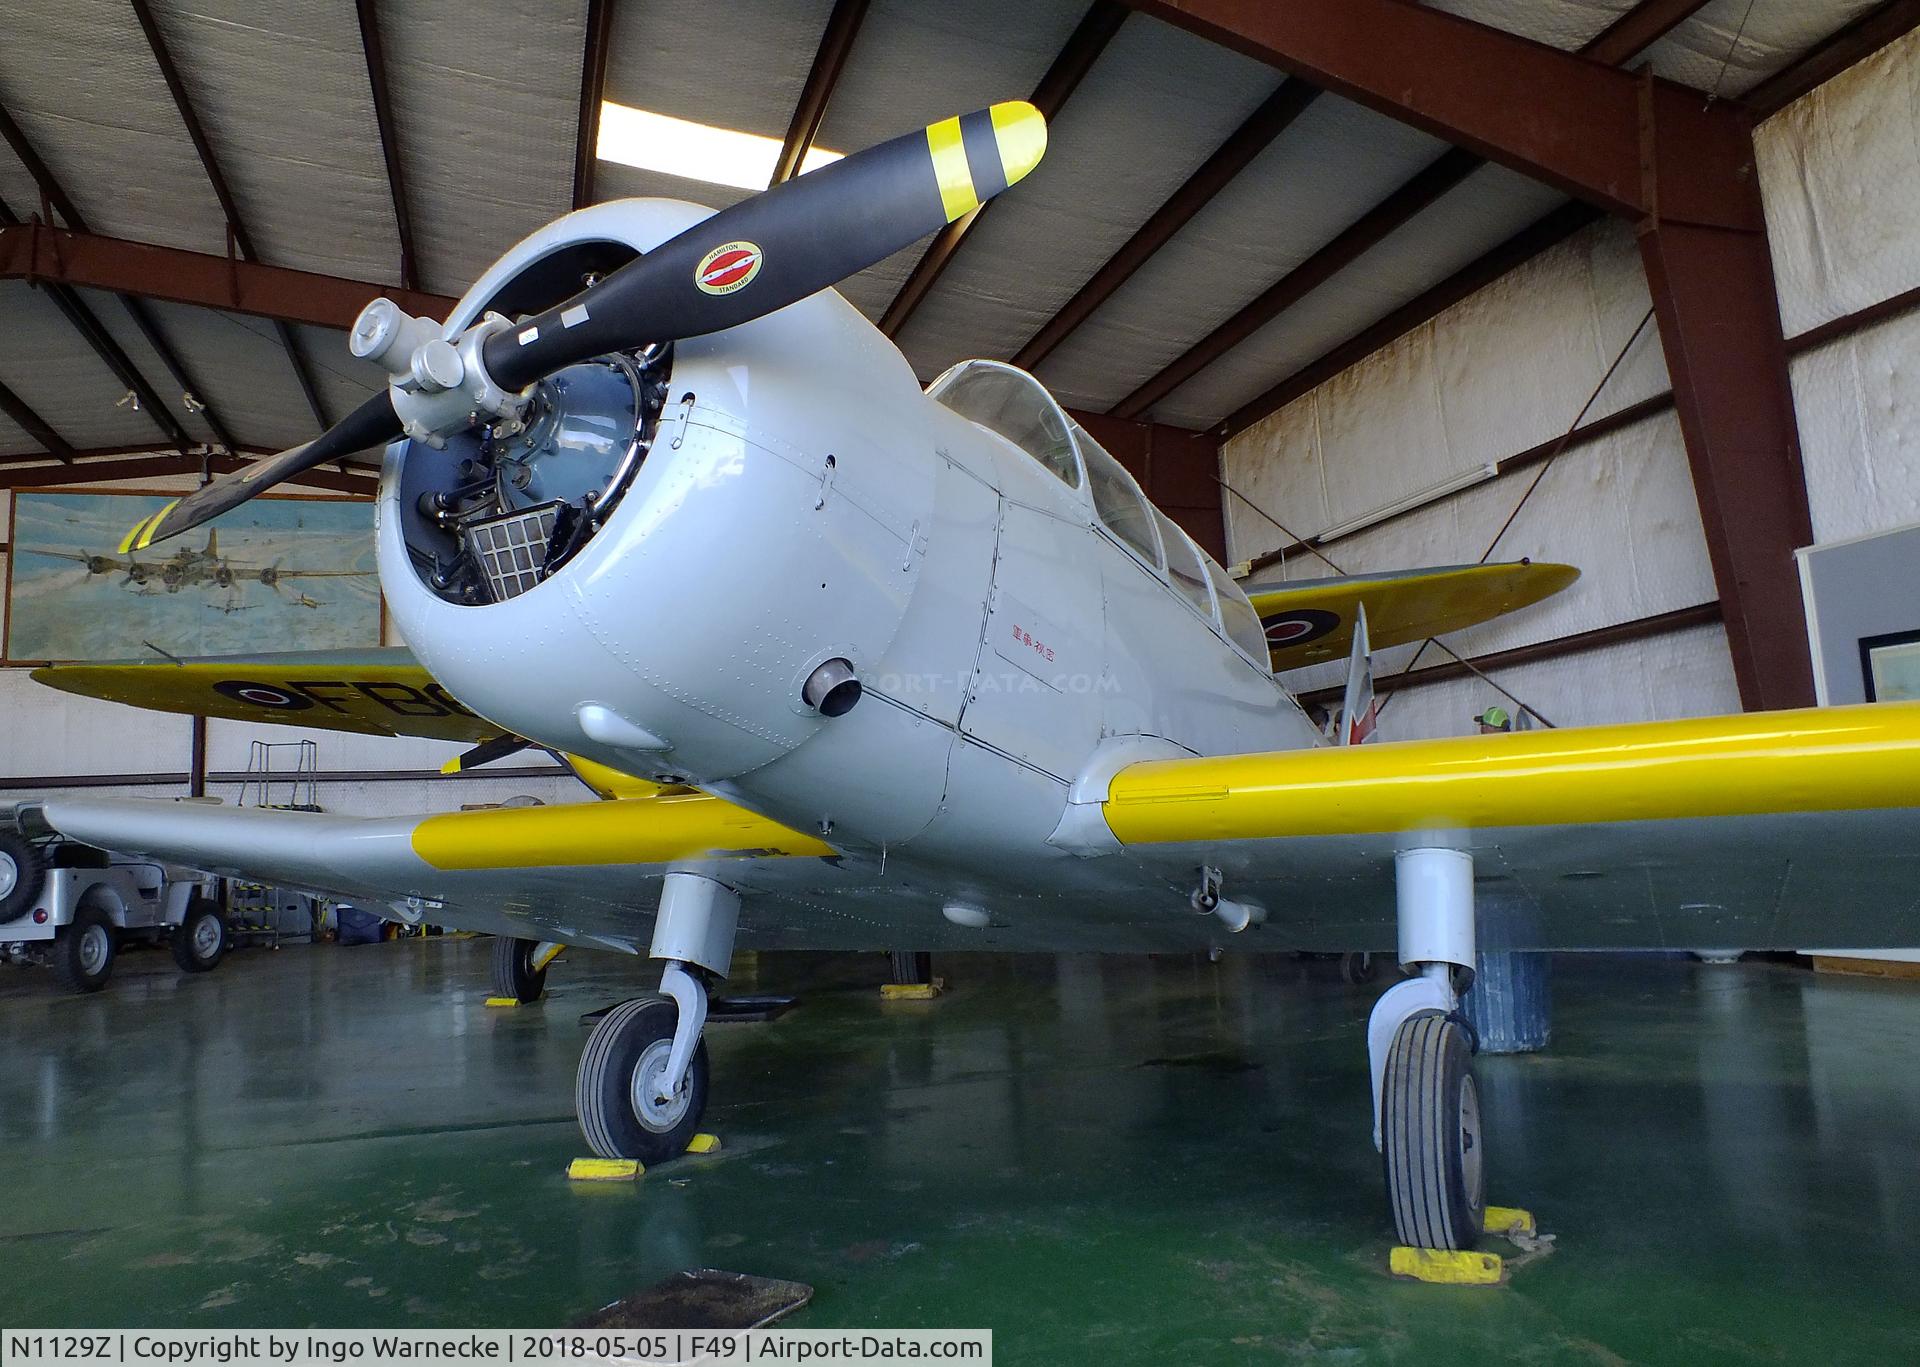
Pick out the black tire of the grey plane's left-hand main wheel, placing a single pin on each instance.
(604, 1090)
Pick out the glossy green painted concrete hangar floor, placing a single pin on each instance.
(1105, 1161)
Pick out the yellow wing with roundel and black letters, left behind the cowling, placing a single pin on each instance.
(383, 692)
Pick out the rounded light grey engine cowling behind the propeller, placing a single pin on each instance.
(677, 542)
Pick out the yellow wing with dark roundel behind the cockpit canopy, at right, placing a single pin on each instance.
(1312, 621)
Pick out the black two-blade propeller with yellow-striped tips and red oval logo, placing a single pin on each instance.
(738, 266)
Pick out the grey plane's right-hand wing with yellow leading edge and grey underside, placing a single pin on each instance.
(1769, 830)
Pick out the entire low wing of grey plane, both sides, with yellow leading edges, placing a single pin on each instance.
(1773, 830)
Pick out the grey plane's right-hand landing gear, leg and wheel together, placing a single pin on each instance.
(1426, 1103)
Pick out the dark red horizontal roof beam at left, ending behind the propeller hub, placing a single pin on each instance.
(36, 252)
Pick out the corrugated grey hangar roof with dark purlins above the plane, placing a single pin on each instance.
(408, 143)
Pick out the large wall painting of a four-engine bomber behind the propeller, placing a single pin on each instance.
(274, 575)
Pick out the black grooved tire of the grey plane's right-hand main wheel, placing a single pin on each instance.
(1433, 1145)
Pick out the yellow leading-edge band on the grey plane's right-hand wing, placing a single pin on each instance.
(1829, 759)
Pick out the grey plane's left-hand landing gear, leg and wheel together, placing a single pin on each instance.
(642, 1084)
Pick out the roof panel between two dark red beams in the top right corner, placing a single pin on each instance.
(1748, 39)
